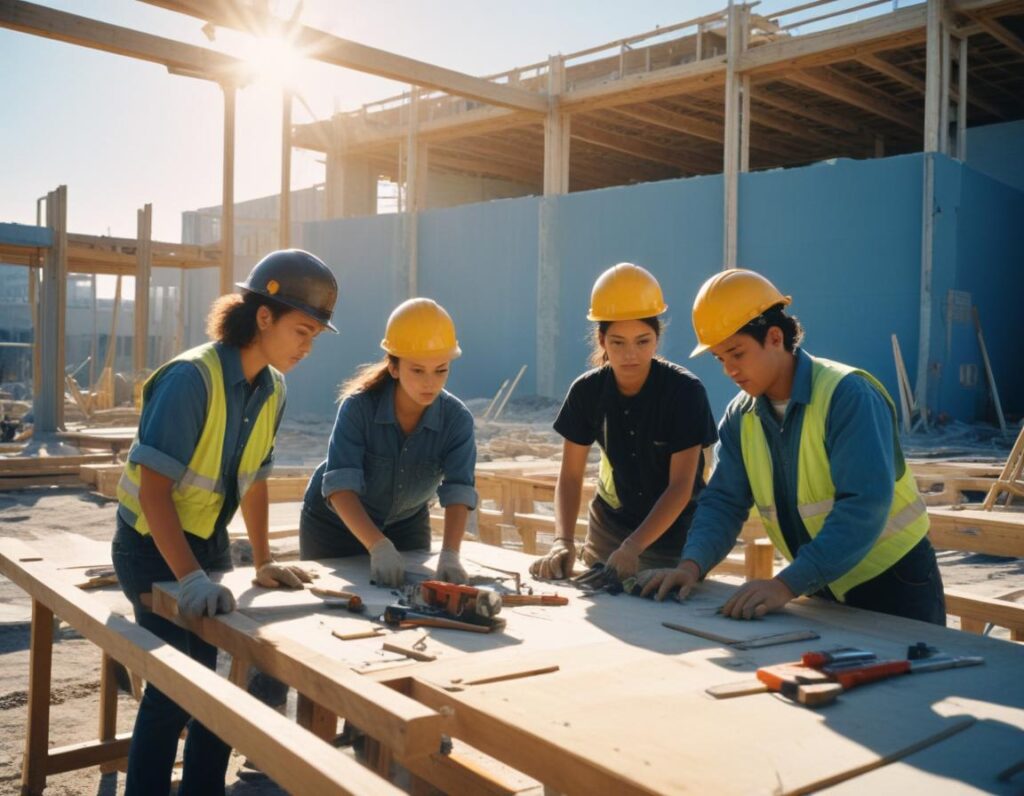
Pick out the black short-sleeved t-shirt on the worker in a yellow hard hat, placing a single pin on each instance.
(638, 435)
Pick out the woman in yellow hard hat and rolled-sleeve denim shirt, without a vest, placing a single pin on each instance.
(399, 440)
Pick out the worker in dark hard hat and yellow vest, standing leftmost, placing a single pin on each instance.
(204, 448)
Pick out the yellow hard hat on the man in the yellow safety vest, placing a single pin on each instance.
(728, 303)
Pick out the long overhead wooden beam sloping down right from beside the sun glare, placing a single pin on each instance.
(324, 47)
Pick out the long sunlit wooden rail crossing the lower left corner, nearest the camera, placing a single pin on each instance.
(285, 751)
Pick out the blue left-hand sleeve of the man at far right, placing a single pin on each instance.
(726, 504)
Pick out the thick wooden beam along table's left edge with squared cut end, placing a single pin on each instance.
(394, 720)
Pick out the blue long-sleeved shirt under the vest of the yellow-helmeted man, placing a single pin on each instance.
(864, 458)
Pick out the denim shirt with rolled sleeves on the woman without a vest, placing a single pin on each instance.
(395, 475)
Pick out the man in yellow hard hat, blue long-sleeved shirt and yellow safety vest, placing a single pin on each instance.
(814, 444)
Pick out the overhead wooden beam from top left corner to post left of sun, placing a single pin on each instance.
(61, 26)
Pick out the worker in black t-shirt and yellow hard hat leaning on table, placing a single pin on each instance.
(651, 420)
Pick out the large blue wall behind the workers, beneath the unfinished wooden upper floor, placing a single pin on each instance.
(842, 237)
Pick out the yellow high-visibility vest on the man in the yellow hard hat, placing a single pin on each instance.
(908, 521)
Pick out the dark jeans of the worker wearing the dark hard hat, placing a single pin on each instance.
(160, 721)
